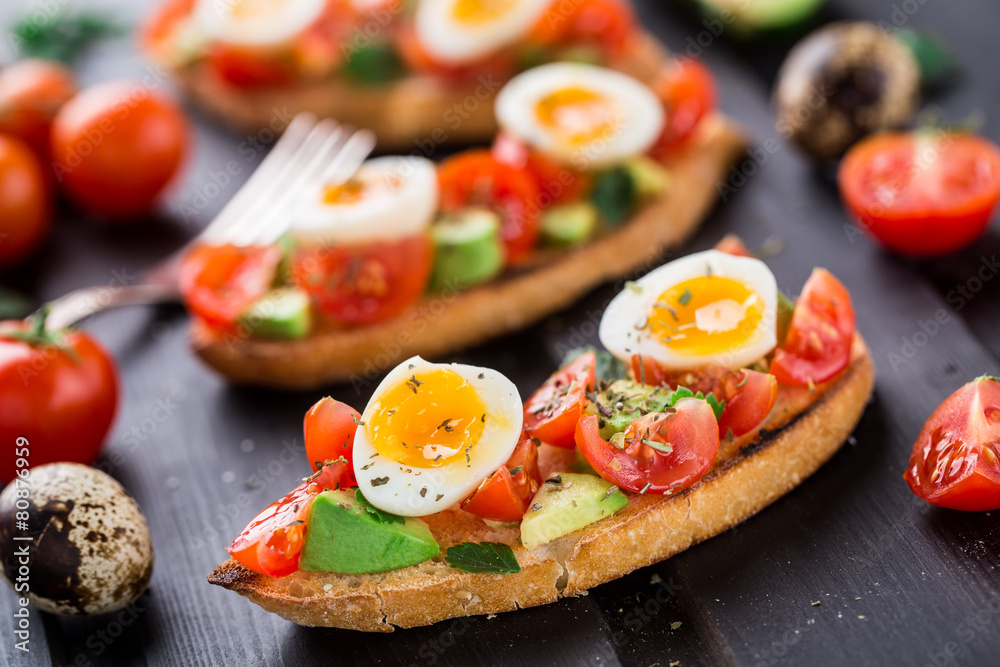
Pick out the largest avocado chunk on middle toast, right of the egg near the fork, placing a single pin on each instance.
(468, 249)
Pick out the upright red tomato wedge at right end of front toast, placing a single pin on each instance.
(818, 345)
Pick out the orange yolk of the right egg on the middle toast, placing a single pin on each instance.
(578, 116)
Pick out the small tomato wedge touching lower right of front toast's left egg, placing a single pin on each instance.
(505, 495)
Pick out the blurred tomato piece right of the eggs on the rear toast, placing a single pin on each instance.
(605, 24)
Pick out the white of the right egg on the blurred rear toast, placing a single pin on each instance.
(450, 41)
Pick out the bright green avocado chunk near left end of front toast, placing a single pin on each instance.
(344, 537)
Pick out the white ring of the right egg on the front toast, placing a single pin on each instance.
(622, 333)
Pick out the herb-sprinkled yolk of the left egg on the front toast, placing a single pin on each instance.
(432, 419)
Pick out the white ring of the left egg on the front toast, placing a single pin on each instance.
(449, 483)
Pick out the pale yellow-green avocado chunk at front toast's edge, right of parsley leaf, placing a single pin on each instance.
(567, 502)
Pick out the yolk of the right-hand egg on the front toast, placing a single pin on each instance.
(705, 315)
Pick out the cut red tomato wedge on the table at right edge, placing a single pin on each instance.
(956, 458)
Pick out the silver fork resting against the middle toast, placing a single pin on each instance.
(309, 155)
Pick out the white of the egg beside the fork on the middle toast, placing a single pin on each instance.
(407, 211)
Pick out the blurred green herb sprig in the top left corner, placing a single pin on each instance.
(62, 36)
